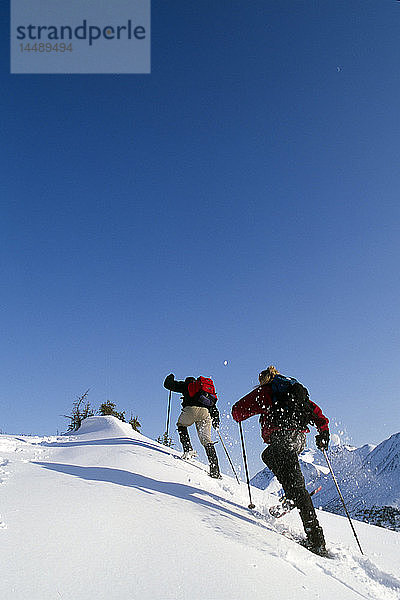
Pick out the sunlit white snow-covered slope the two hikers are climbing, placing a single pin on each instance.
(109, 514)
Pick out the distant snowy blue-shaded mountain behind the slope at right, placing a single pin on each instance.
(369, 478)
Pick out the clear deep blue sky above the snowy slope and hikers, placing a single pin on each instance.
(239, 204)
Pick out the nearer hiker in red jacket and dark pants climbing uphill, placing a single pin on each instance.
(284, 427)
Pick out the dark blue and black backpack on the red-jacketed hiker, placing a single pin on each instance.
(291, 406)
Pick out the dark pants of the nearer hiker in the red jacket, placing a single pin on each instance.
(281, 457)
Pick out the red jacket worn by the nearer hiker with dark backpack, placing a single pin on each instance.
(259, 402)
